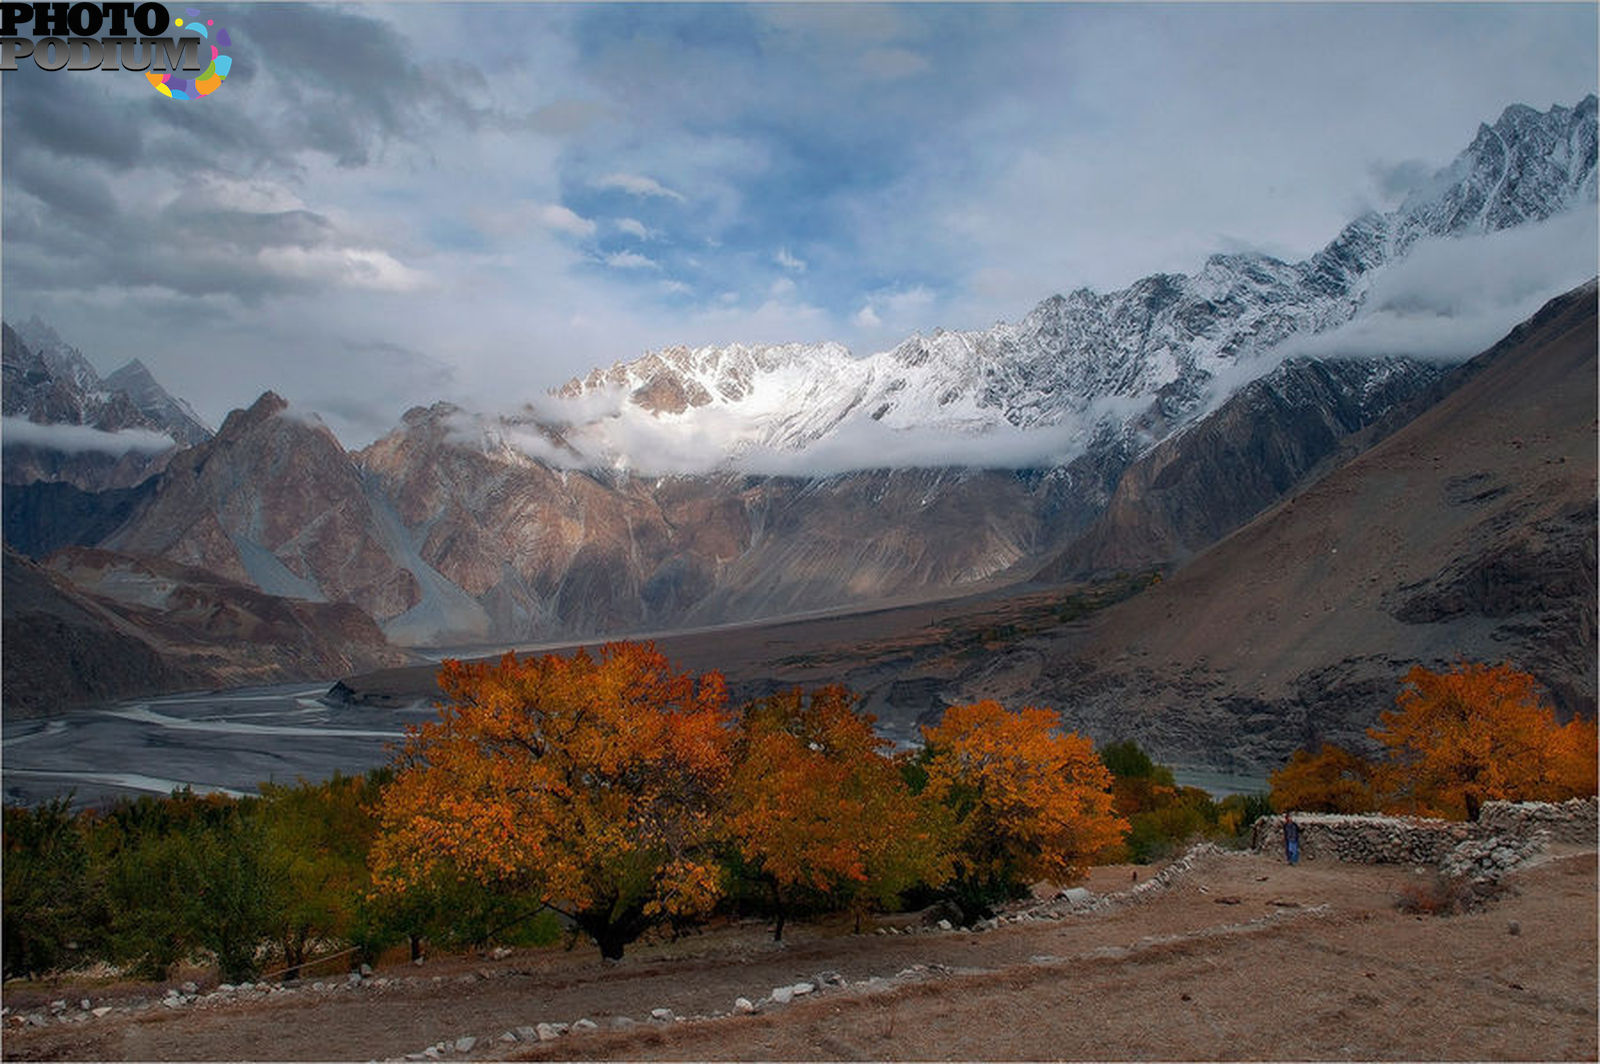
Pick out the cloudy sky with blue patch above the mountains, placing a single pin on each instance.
(388, 206)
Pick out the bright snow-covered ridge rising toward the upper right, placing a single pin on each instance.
(1081, 369)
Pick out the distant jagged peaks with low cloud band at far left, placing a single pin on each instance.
(66, 425)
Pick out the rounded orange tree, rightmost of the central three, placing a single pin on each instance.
(1028, 801)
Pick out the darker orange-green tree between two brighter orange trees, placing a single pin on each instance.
(818, 807)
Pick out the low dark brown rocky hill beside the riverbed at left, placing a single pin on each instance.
(94, 626)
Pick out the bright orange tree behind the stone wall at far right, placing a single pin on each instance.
(1476, 734)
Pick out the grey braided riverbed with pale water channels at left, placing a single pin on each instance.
(220, 742)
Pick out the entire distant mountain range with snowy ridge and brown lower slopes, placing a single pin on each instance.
(698, 487)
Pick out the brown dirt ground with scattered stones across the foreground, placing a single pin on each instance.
(1242, 958)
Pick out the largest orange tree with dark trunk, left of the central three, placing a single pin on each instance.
(593, 783)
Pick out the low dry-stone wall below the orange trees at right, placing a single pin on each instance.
(1370, 839)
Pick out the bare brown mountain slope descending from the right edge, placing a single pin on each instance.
(1468, 534)
